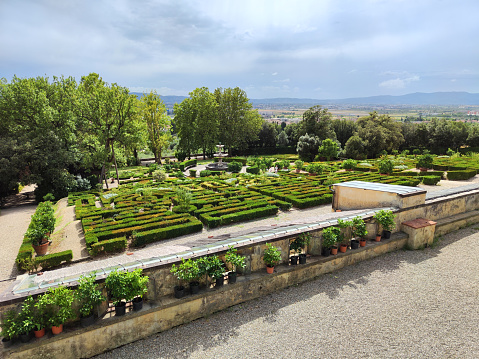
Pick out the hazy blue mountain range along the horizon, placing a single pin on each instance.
(418, 98)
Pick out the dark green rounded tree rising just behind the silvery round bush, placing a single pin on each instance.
(317, 121)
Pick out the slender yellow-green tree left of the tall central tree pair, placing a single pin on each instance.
(158, 124)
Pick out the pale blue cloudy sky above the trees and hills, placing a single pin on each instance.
(316, 49)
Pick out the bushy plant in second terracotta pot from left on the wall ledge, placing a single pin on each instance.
(59, 307)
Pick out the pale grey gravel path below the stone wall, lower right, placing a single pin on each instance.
(406, 304)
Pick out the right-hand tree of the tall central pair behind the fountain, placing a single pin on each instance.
(238, 122)
